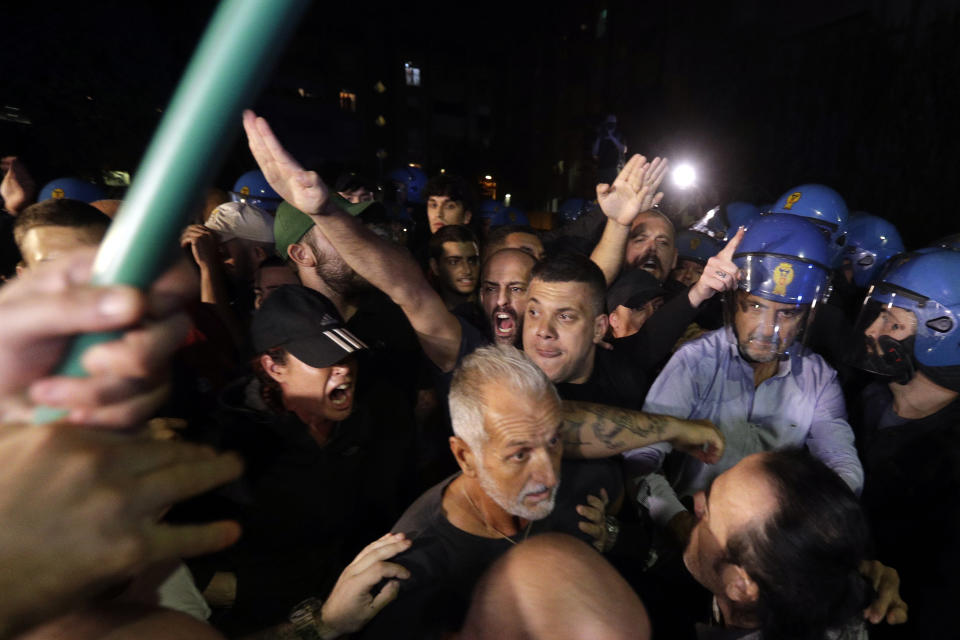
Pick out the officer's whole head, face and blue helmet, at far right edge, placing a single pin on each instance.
(909, 320)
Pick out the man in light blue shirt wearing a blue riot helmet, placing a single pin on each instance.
(753, 378)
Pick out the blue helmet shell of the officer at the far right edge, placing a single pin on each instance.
(928, 284)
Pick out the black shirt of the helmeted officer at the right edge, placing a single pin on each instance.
(910, 494)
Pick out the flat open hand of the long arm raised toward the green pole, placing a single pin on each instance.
(303, 189)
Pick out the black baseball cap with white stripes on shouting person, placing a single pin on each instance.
(306, 324)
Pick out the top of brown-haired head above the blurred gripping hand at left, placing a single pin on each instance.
(45, 230)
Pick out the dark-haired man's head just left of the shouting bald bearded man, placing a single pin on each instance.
(455, 264)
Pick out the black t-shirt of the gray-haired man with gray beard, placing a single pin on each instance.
(446, 562)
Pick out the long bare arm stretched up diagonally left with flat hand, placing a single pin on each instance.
(386, 266)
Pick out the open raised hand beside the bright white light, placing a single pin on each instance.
(633, 191)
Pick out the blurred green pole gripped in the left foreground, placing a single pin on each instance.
(235, 54)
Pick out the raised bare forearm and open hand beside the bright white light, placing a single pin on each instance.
(633, 191)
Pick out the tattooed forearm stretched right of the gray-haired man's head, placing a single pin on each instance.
(593, 430)
